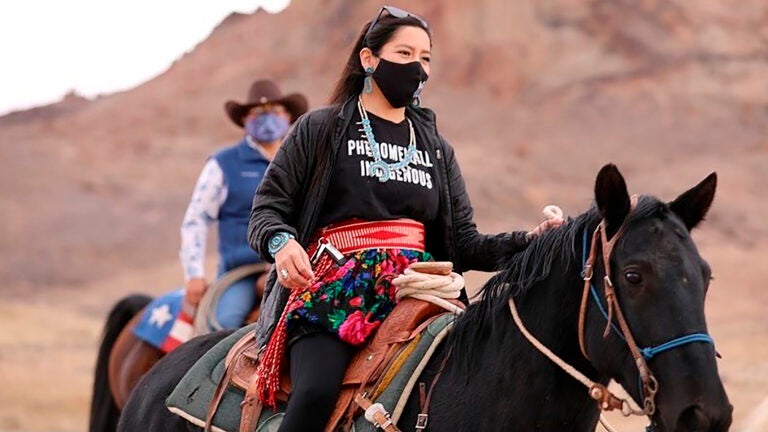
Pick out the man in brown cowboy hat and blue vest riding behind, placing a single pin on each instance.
(224, 192)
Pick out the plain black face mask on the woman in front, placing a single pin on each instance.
(400, 82)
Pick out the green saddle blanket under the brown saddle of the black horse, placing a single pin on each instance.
(191, 397)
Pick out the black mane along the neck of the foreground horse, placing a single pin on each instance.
(525, 269)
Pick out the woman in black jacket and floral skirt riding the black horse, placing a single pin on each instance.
(372, 180)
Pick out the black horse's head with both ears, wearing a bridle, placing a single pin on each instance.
(659, 282)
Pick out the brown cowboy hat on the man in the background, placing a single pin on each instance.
(266, 92)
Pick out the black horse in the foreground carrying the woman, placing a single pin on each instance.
(495, 380)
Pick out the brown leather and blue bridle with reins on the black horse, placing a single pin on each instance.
(648, 384)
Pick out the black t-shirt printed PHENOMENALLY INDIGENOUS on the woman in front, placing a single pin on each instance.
(356, 192)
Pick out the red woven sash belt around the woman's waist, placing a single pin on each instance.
(346, 238)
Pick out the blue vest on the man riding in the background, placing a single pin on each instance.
(243, 169)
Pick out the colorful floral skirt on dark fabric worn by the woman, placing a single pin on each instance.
(352, 300)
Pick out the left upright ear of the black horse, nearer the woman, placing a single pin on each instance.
(612, 198)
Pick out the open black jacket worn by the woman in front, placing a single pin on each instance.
(293, 190)
